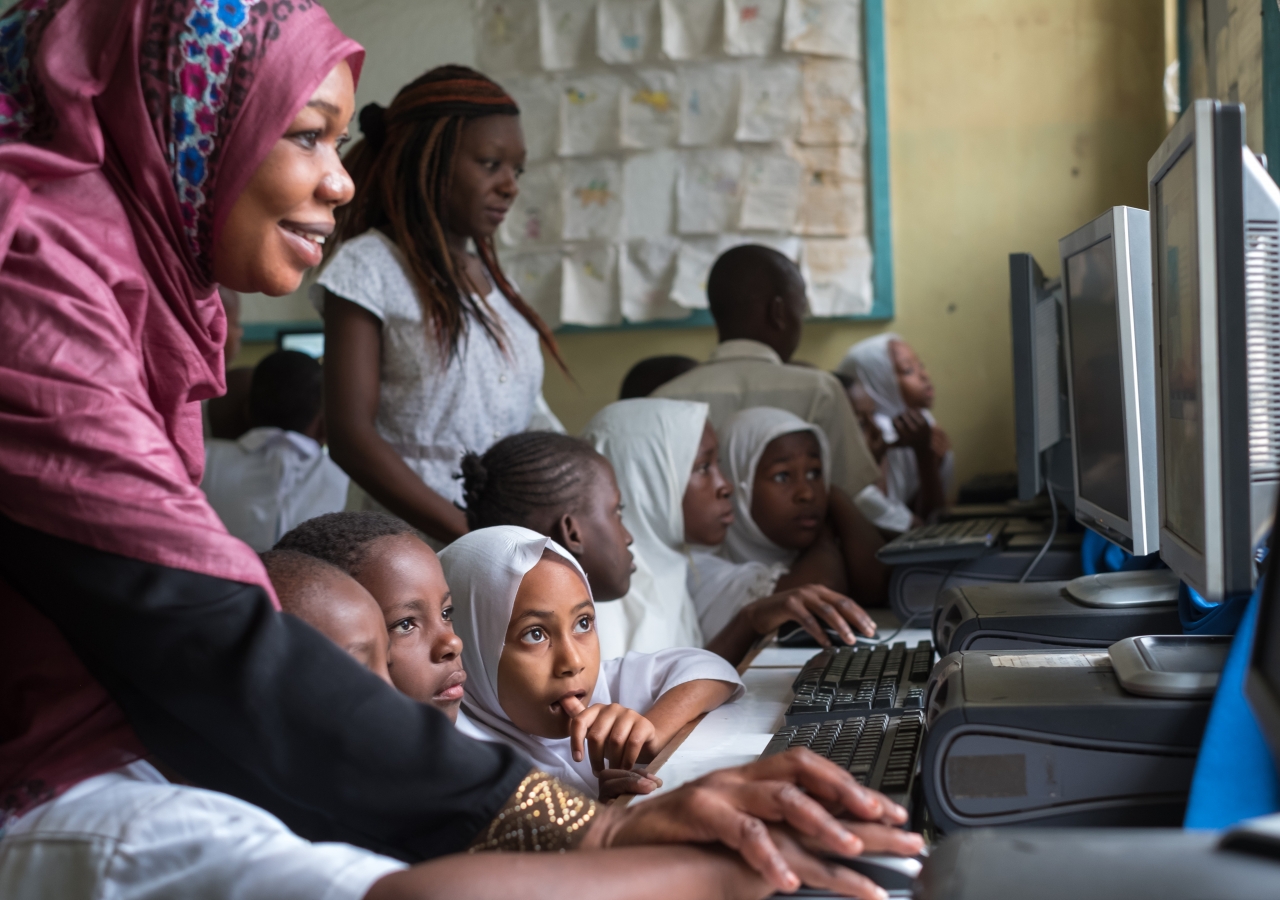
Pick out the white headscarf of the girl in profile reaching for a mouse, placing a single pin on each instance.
(652, 445)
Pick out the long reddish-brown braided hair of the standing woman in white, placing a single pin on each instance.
(403, 170)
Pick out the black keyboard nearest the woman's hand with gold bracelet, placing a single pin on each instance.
(881, 752)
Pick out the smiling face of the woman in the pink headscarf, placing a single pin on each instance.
(276, 230)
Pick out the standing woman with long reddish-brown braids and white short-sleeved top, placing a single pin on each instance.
(431, 351)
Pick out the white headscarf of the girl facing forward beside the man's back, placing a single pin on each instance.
(743, 444)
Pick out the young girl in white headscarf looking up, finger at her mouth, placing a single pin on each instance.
(524, 611)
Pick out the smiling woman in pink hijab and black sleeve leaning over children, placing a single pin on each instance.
(149, 152)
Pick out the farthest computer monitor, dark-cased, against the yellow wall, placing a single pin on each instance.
(1041, 426)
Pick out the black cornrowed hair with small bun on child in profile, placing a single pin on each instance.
(528, 479)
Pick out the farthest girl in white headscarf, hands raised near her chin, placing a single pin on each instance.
(920, 462)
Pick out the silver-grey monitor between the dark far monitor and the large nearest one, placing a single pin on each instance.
(1112, 377)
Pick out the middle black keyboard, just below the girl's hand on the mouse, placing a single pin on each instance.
(860, 682)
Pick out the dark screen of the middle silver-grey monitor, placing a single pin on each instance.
(1098, 392)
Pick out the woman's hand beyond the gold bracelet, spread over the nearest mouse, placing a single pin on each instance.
(797, 791)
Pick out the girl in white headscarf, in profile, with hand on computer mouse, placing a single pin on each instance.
(676, 501)
